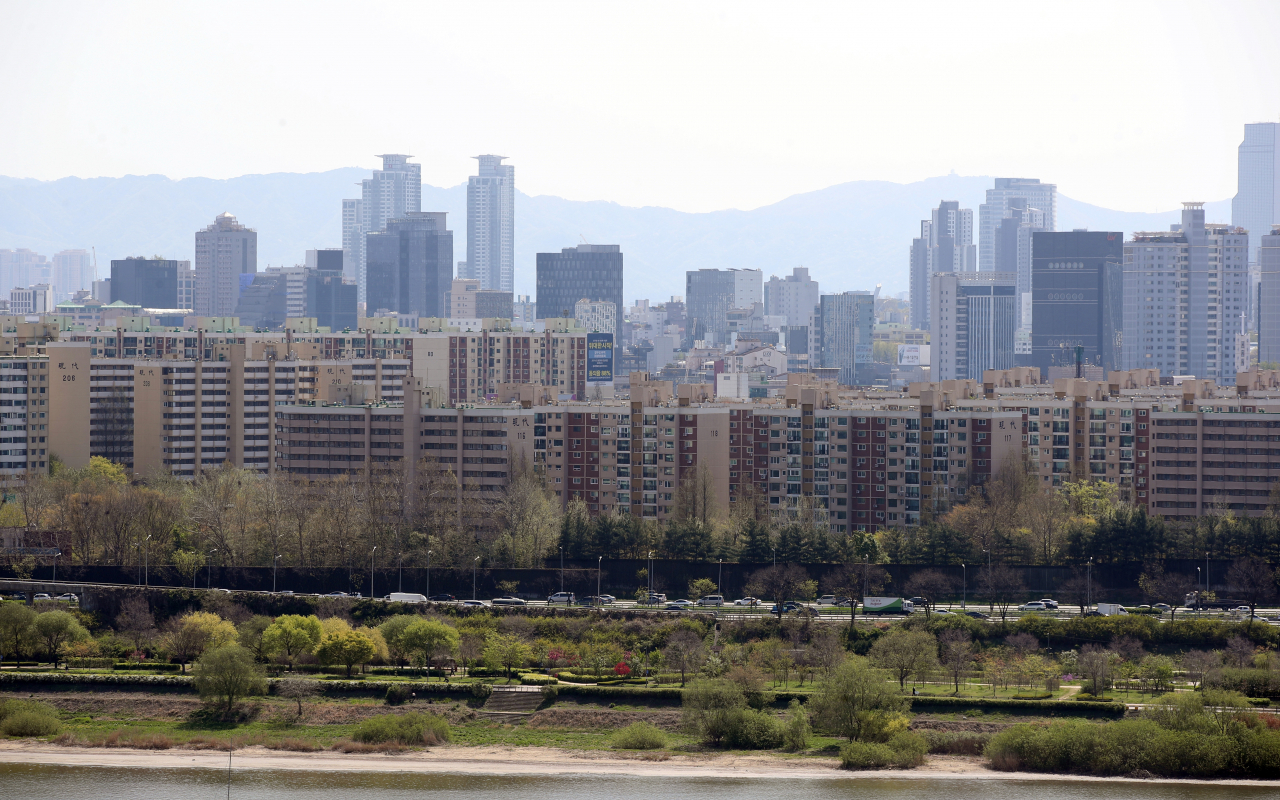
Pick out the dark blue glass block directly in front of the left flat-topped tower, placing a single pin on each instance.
(410, 266)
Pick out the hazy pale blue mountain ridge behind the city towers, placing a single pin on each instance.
(851, 236)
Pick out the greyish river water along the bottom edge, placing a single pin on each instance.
(52, 783)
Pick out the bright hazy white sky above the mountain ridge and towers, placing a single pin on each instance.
(689, 106)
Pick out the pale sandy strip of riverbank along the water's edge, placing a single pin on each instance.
(532, 762)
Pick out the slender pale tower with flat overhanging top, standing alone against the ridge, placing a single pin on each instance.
(492, 226)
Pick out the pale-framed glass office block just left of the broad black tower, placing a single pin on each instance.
(975, 317)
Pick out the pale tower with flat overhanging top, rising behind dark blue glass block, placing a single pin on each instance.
(392, 193)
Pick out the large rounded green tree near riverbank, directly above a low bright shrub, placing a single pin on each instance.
(856, 702)
